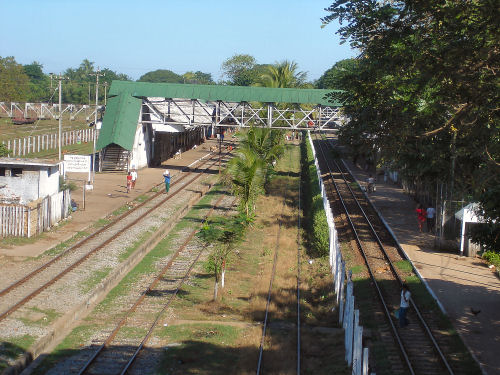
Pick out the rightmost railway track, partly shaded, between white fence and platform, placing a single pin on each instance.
(419, 351)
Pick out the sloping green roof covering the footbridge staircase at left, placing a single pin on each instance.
(120, 121)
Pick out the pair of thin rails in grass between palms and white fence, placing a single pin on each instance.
(265, 325)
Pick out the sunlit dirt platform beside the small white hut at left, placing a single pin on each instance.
(108, 194)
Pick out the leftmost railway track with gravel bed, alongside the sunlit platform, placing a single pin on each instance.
(18, 294)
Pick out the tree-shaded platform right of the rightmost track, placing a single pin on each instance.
(461, 284)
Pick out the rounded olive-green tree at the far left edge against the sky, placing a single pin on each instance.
(14, 83)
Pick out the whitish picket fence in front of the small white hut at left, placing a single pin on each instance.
(27, 221)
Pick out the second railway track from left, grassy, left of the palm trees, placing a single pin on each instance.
(120, 353)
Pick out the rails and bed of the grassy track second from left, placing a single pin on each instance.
(106, 360)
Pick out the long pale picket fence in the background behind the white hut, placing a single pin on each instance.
(38, 143)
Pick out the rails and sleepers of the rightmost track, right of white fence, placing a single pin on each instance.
(420, 355)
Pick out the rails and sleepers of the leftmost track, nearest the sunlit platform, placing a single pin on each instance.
(60, 262)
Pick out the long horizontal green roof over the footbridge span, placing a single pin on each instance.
(224, 93)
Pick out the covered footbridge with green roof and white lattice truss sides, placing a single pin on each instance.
(189, 105)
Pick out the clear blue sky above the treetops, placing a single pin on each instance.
(135, 37)
